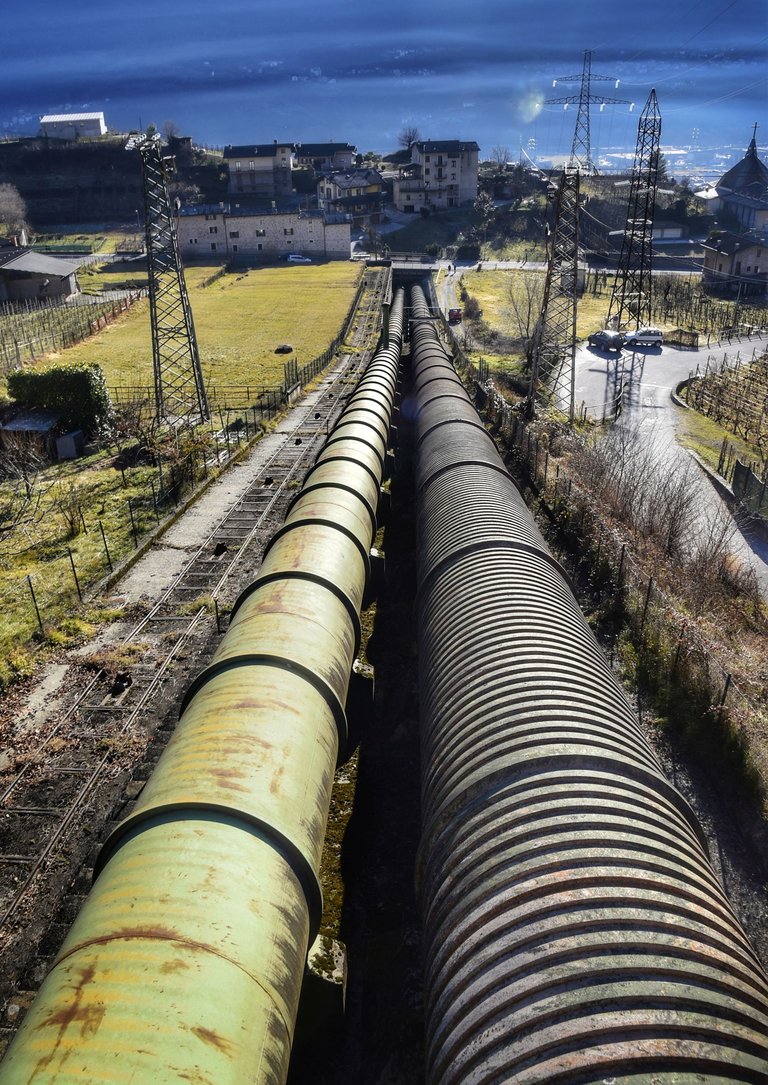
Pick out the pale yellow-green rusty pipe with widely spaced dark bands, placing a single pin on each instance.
(186, 962)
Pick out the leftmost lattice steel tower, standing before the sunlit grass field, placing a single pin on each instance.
(181, 394)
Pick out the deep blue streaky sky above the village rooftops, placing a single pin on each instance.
(258, 70)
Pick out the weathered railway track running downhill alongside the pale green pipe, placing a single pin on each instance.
(88, 754)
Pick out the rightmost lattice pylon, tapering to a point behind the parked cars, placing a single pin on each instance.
(631, 301)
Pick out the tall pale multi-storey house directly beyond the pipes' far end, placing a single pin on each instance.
(441, 174)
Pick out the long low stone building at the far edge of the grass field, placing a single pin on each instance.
(242, 234)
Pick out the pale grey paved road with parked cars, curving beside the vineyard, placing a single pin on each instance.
(650, 378)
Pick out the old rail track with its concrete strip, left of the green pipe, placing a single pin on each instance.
(48, 805)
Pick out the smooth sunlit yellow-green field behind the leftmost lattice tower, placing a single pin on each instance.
(240, 320)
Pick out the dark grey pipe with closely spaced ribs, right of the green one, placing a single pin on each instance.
(575, 930)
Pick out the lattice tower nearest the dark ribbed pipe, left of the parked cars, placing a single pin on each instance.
(553, 373)
